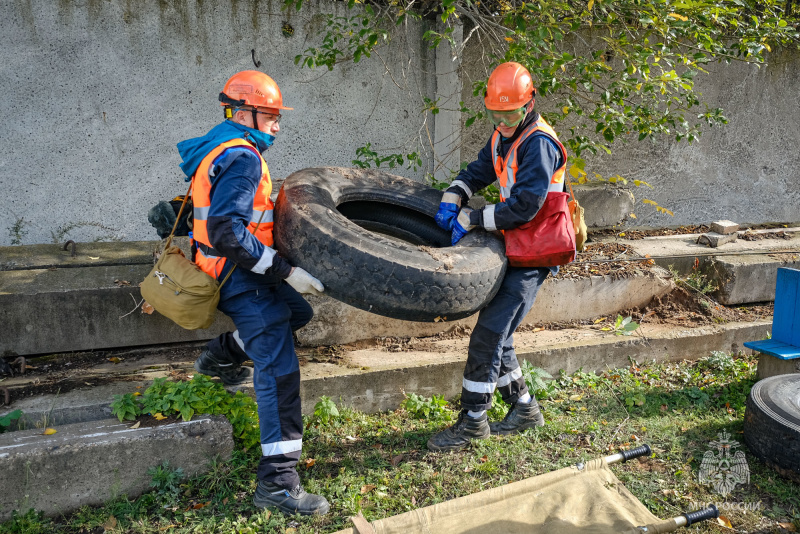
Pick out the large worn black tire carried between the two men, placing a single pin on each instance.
(370, 238)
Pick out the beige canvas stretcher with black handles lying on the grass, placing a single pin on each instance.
(585, 498)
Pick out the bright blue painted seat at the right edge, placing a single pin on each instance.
(785, 342)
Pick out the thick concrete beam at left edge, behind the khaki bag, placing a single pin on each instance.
(61, 310)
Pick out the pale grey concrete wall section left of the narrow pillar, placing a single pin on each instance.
(97, 94)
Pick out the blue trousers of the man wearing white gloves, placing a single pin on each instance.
(264, 320)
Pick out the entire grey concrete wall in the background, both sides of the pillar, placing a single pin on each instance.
(97, 94)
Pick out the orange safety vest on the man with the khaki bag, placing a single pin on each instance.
(201, 197)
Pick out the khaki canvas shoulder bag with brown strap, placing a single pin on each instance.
(178, 289)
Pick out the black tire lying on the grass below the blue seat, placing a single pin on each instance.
(772, 423)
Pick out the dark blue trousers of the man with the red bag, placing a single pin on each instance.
(491, 360)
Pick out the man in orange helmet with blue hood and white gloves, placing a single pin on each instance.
(232, 237)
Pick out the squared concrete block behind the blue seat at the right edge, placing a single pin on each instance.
(744, 279)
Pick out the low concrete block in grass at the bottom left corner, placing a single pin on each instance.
(90, 463)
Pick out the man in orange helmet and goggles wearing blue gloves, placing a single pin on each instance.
(526, 157)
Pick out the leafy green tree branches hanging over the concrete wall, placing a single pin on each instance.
(611, 70)
